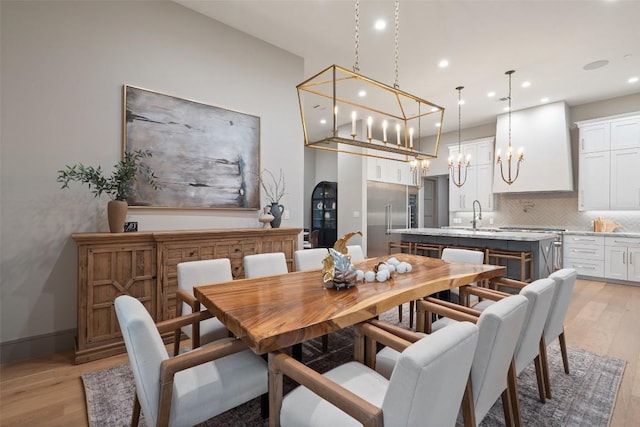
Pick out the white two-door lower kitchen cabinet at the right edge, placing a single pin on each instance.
(622, 258)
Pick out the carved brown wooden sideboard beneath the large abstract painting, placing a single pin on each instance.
(143, 265)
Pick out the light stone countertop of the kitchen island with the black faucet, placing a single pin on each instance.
(492, 234)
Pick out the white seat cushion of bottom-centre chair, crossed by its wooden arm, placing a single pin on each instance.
(302, 407)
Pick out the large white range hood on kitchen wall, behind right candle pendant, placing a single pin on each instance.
(543, 132)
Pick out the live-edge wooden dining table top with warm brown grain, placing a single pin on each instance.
(275, 312)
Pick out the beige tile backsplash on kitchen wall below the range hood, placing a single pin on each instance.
(553, 210)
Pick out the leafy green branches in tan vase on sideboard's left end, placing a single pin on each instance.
(118, 186)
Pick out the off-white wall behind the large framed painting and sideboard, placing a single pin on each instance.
(63, 67)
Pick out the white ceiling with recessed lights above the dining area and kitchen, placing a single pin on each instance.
(547, 42)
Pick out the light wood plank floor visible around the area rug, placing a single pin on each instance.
(604, 318)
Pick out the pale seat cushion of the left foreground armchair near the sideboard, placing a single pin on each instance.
(215, 387)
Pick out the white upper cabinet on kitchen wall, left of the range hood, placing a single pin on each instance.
(479, 183)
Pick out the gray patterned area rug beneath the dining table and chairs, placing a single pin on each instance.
(586, 397)
